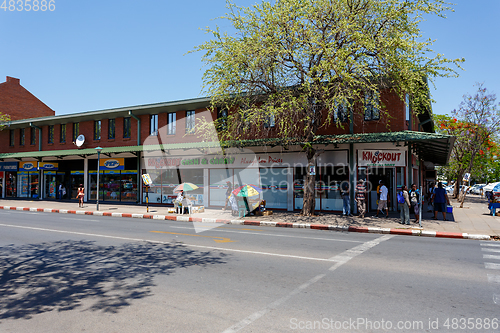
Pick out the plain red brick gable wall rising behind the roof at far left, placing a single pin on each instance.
(19, 103)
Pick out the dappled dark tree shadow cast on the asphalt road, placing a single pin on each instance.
(44, 277)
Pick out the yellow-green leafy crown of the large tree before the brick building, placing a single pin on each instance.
(297, 61)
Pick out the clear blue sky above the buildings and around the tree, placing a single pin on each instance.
(96, 55)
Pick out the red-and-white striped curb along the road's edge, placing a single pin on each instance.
(406, 232)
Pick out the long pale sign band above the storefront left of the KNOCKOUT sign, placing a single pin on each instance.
(244, 160)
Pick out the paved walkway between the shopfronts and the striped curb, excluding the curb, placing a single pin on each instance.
(474, 218)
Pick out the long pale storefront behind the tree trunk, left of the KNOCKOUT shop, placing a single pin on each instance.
(280, 176)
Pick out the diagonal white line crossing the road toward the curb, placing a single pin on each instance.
(341, 259)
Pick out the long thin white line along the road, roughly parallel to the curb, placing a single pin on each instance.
(163, 242)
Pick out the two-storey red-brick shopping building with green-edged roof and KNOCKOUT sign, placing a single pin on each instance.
(38, 156)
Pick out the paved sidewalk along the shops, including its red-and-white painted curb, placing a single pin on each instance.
(472, 221)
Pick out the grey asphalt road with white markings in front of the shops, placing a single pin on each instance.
(67, 273)
